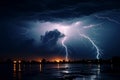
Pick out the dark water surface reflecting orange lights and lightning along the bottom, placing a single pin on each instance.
(59, 72)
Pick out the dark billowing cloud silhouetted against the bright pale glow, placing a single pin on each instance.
(48, 47)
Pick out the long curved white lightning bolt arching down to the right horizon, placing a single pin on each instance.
(92, 42)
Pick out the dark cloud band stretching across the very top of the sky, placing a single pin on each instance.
(50, 9)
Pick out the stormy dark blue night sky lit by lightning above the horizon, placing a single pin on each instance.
(37, 28)
